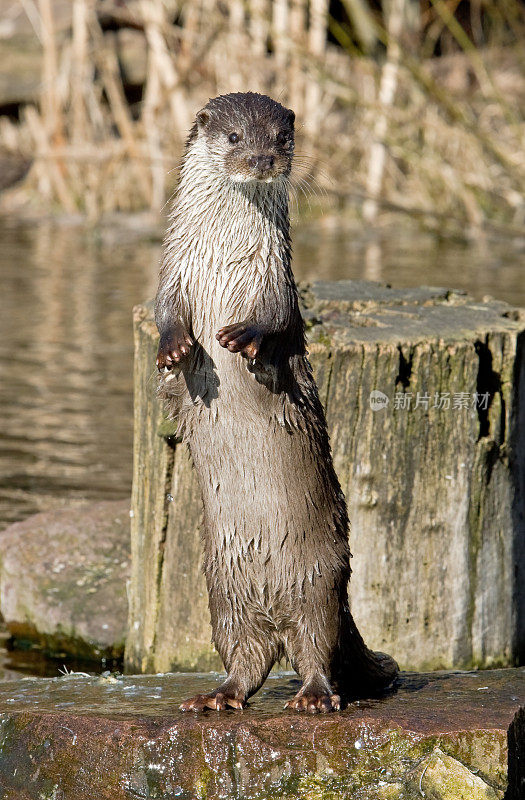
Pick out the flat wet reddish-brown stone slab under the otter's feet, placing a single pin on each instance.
(441, 736)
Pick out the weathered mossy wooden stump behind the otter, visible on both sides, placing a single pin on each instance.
(424, 391)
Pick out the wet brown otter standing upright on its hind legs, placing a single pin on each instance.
(234, 371)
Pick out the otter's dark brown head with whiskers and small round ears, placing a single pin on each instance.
(248, 137)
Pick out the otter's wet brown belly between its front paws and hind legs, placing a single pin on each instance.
(267, 495)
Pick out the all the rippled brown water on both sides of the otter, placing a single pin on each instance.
(66, 339)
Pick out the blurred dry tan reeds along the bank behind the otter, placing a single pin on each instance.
(405, 106)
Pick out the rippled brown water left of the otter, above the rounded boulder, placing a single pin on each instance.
(66, 361)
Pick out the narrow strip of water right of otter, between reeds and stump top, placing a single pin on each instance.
(407, 257)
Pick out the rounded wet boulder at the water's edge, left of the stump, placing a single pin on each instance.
(63, 579)
